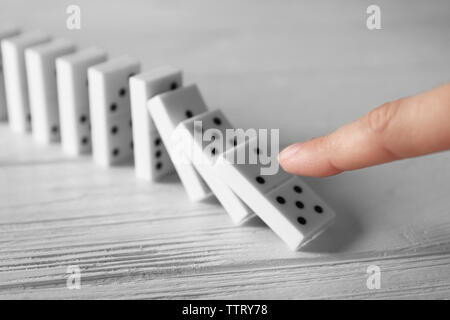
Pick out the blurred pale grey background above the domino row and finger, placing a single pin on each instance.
(305, 67)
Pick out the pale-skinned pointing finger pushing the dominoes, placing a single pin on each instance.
(405, 128)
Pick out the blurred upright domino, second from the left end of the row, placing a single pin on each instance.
(16, 86)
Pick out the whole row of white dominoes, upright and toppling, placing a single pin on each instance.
(108, 107)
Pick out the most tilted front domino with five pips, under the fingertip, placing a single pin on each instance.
(282, 201)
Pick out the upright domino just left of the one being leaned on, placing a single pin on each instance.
(109, 102)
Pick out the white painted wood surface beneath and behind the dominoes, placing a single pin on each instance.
(303, 67)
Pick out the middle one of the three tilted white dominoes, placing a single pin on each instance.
(203, 152)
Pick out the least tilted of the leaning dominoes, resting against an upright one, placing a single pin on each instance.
(168, 110)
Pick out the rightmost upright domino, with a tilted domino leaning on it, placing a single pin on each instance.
(151, 160)
